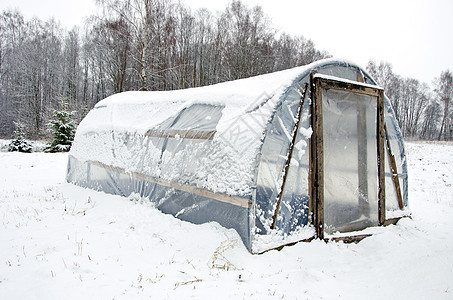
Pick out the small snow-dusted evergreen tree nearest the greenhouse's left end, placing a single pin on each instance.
(63, 130)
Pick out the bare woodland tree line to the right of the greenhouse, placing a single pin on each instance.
(422, 113)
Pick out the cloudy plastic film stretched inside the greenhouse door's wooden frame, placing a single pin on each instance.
(350, 161)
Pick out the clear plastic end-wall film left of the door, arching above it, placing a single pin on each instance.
(293, 214)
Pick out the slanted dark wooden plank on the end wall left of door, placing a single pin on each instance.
(289, 157)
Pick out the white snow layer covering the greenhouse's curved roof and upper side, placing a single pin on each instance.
(116, 131)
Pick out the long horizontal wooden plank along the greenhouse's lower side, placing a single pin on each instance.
(234, 200)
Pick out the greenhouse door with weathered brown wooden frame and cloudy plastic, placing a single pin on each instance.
(347, 153)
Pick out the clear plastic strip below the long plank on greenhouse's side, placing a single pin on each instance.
(184, 205)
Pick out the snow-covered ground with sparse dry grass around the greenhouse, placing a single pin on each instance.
(59, 241)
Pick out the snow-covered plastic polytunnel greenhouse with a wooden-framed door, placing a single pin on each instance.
(309, 152)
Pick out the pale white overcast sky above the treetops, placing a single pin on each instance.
(416, 36)
